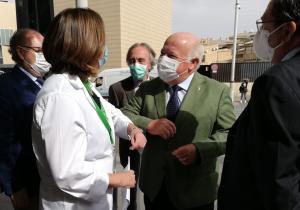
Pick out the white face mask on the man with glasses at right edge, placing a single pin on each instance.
(261, 44)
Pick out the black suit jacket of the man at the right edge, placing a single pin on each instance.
(262, 162)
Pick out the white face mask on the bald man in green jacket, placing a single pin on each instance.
(167, 68)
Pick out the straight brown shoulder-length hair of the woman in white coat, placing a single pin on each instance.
(74, 42)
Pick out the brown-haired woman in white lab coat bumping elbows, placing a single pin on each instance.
(73, 126)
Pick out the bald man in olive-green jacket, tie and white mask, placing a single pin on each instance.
(186, 117)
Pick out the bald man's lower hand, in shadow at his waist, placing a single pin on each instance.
(186, 154)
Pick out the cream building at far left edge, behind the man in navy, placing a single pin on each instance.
(8, 24)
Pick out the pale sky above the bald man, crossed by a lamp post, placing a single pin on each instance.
(215, 18)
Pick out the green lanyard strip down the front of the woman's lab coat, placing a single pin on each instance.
(100, 110)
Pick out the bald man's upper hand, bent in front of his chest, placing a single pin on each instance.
(161, 127)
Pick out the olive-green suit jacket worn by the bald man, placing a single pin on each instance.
(205, 115)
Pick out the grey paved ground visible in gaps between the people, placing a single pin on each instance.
(5, 203)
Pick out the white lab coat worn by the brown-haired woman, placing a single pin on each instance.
(72, 146)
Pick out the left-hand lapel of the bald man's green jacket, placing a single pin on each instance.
(160, 99)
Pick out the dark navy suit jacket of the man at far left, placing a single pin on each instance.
(17, 161)
